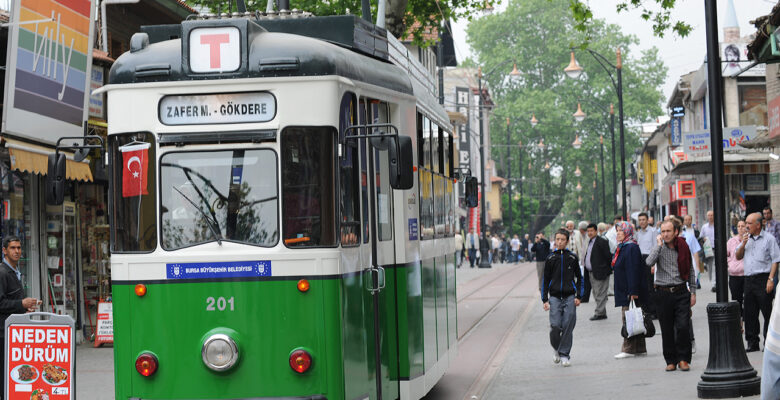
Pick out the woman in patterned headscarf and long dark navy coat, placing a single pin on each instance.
(629, 275)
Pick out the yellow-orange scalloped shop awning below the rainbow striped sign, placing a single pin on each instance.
(32, 158)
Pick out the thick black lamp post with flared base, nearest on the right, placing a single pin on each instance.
(728, 372)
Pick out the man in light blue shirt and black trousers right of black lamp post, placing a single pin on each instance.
(760, 254)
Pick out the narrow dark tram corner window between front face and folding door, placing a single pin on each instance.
(349, 172)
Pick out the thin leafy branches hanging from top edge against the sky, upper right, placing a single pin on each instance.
(659, 14)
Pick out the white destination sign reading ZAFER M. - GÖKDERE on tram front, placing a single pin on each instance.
(231, 108)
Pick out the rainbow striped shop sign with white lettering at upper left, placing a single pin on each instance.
(49, 61)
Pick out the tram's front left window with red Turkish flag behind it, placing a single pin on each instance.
(134, 212)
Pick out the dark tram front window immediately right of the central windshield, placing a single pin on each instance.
(308, 180)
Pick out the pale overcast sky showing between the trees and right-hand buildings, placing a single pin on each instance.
(680, 55)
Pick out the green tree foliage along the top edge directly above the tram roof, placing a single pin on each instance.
(402, 17)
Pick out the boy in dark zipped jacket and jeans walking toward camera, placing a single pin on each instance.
(561, 293)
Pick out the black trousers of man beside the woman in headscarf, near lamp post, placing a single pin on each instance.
(674, 316)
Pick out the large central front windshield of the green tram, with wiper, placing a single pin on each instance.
(209, 196)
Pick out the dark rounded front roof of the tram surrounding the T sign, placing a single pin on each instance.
(267, 54)
